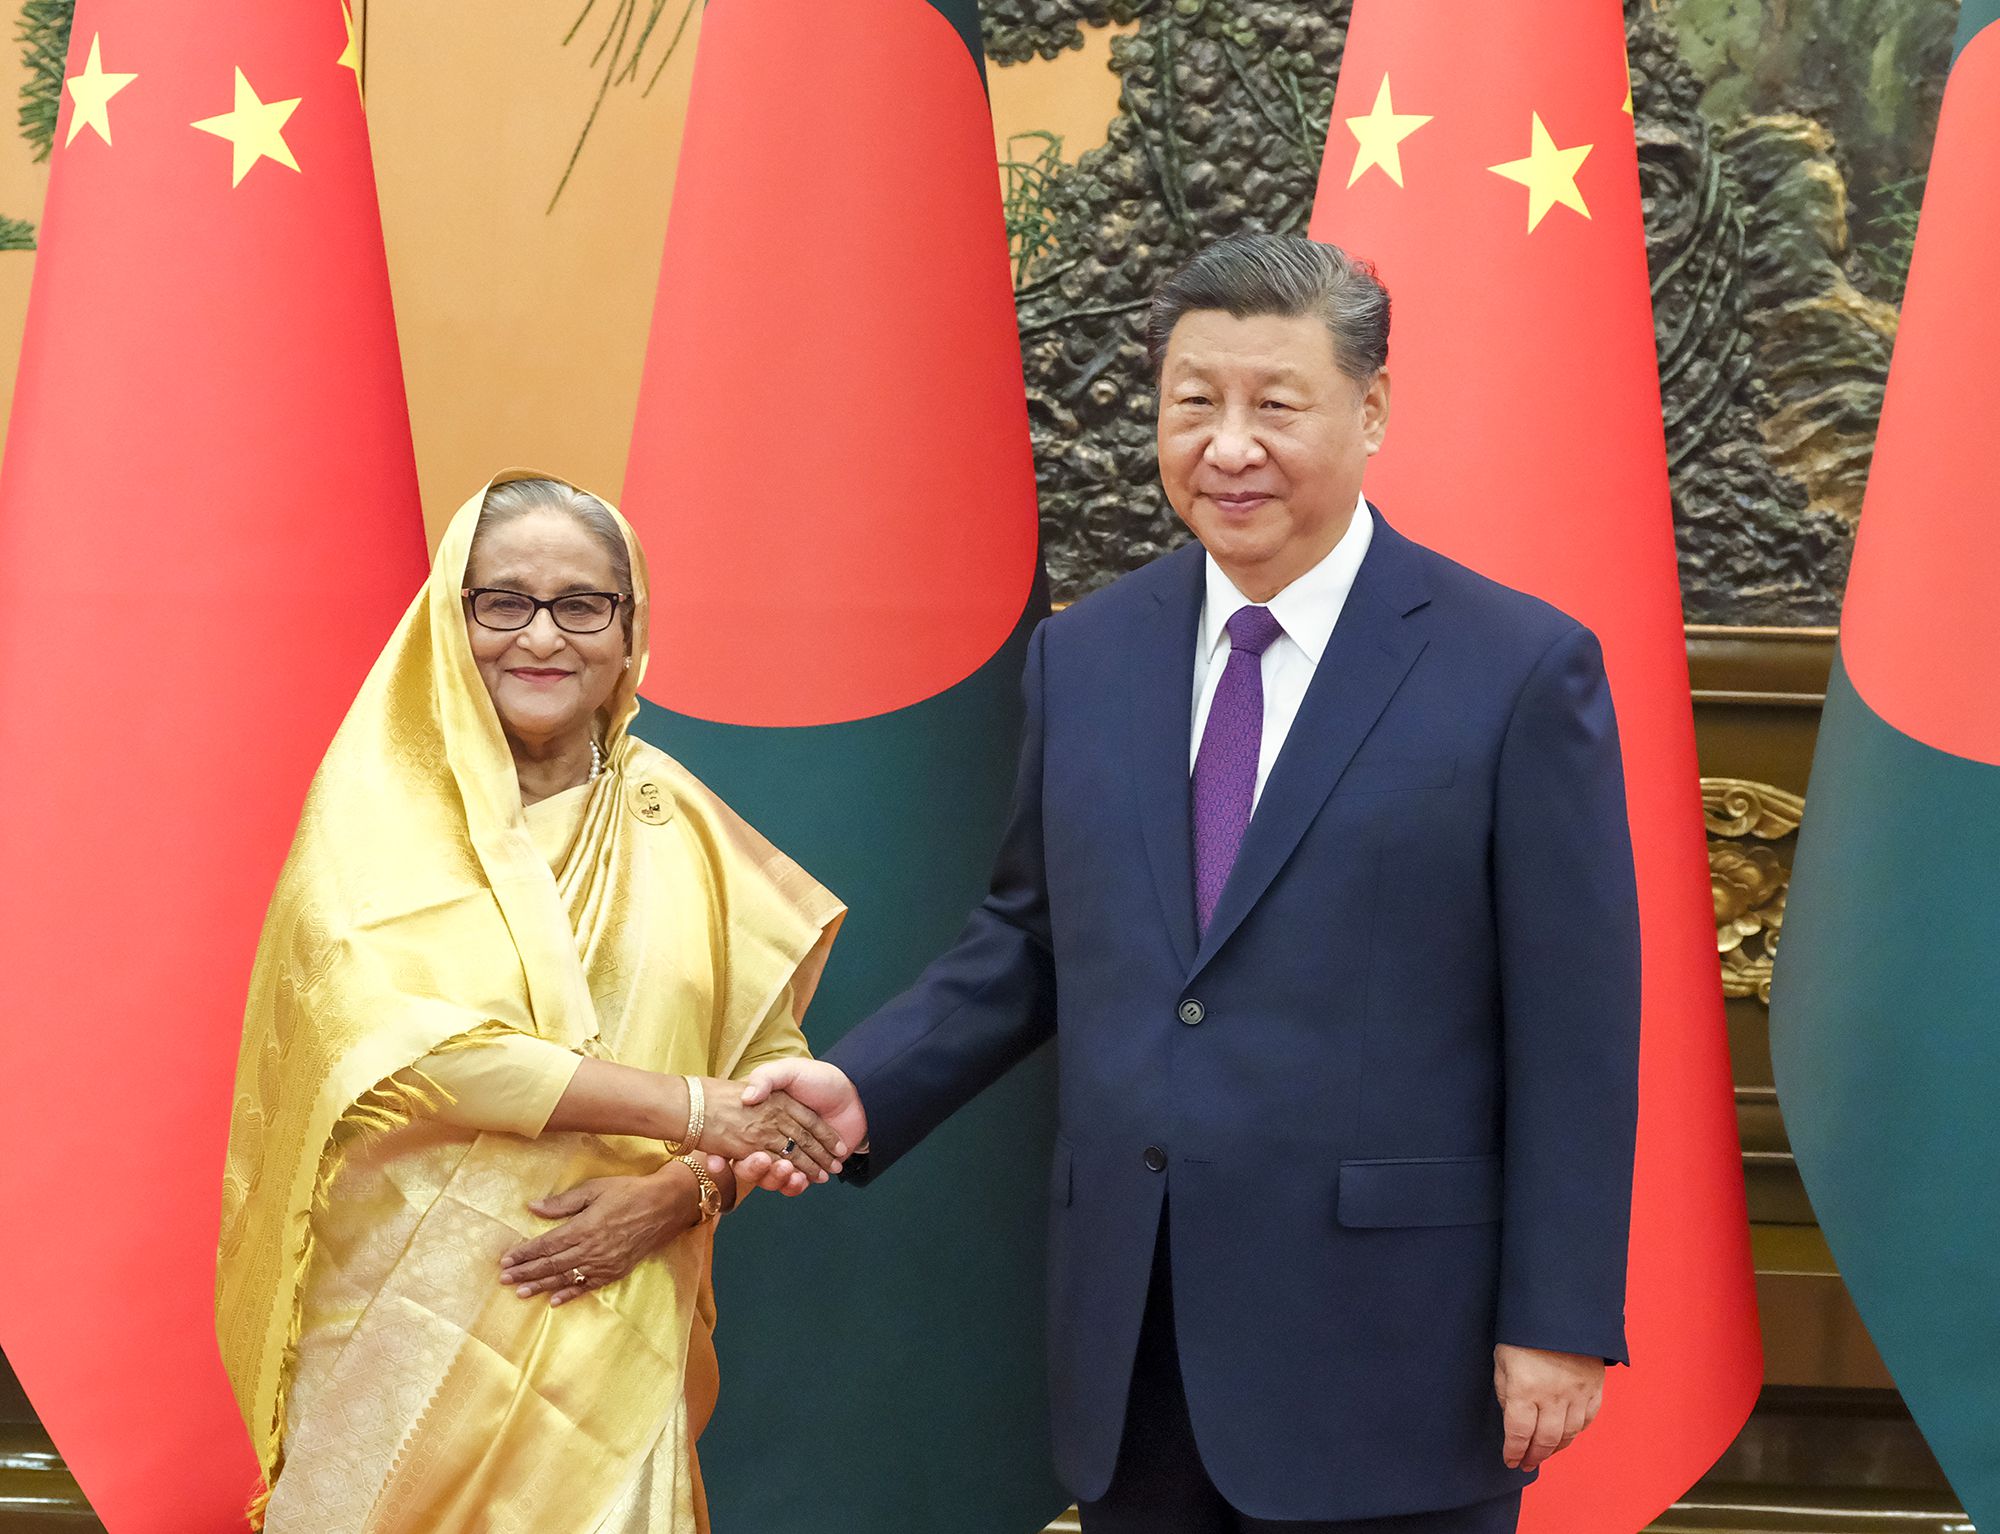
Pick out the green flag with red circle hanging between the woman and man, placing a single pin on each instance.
(833, 477)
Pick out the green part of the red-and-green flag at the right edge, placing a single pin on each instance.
(1887, 1047)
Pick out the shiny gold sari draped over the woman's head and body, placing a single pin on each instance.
(375, 1355)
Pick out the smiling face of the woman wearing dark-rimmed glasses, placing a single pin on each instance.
(547, 685)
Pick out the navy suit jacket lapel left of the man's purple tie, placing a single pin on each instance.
(1163, 713)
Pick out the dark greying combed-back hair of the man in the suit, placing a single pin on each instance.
(1289, 275)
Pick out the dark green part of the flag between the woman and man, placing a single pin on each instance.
(883, 1351)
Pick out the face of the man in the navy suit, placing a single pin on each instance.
(1263, 441)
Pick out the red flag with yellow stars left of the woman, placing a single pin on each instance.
(209, 525)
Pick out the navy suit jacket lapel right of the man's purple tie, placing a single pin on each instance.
(1365, 661)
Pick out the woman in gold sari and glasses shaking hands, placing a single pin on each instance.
(515, 965)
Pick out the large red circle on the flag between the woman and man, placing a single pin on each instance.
(831, 463)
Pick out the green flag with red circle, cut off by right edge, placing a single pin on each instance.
(1887, 1007)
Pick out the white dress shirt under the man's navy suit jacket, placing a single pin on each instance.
(1307, 611)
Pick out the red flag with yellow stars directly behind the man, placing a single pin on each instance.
(1483, 157)
